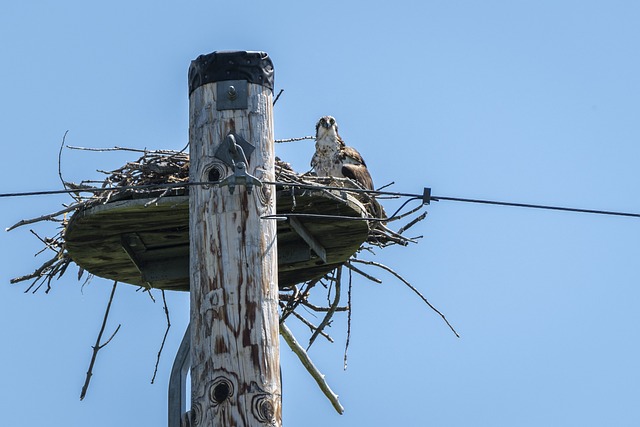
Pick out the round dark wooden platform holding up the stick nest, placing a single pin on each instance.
(143, 239)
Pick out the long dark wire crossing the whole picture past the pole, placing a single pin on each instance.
(425, 196)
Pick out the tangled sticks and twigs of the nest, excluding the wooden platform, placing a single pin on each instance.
(163, 173)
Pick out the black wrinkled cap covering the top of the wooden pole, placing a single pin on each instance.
(254, 67)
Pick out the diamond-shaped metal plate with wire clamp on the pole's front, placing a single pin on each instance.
(232, 153)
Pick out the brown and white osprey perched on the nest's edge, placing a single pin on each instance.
(334, 158)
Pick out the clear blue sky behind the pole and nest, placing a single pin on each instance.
(525, 101)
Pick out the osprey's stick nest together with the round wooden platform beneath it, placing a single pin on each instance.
(132, 227)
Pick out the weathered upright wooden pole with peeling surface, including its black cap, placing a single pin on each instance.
(235, 366)
